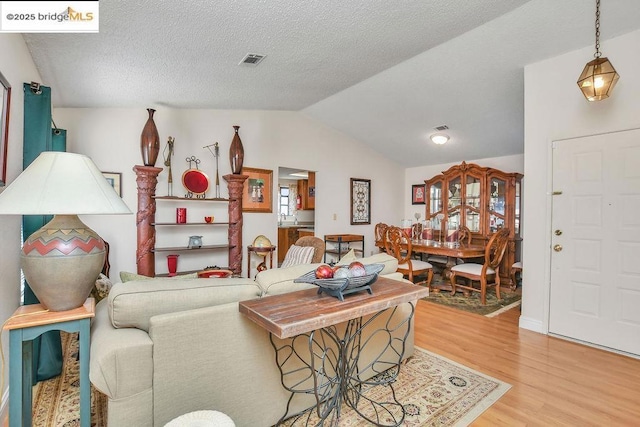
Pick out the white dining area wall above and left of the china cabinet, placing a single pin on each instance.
(419, 174)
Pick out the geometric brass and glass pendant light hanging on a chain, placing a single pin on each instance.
(598, 77)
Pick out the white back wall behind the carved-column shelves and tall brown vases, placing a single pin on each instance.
(271, 139)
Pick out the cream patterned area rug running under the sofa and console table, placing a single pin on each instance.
(434, 391)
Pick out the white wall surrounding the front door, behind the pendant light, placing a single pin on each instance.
(555, 109)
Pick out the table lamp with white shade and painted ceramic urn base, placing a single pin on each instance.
(62, 260)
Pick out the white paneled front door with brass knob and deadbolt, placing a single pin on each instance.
(595, 256)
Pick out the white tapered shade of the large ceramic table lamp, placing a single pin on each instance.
(61, 183)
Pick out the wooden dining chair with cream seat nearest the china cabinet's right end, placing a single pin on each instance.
(486, 274)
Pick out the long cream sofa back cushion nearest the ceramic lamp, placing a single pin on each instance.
(132, 304)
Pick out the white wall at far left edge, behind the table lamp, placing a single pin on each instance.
(17, 67)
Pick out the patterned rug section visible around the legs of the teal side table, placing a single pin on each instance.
(56, 402)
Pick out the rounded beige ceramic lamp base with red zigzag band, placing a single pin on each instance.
(61, 262)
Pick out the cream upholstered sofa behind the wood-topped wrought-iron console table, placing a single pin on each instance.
(164, 347)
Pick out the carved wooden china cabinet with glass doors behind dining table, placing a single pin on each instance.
(483, 199)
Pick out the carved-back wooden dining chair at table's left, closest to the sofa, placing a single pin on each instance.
(398, 244)
